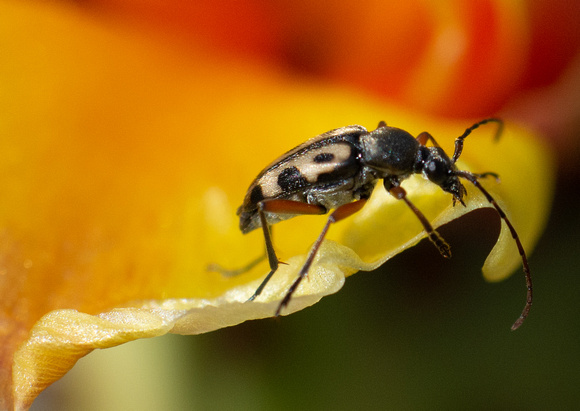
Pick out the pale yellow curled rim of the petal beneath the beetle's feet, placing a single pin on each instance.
(61, 337)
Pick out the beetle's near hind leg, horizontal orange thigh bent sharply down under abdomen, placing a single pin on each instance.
(279, 207)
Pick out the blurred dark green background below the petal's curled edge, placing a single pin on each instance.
(419, 333)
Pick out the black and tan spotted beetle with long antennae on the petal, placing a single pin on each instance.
(338, 171)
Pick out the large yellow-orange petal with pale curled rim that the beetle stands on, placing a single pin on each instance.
(124, 159)
